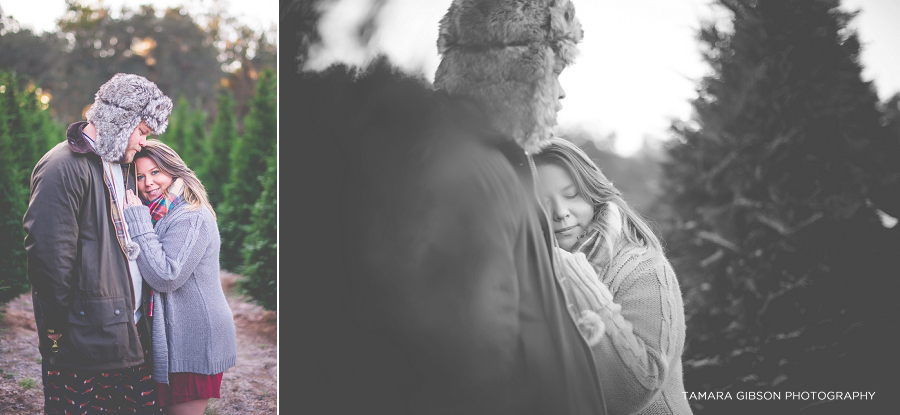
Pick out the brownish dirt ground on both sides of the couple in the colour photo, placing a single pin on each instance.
(250, 387)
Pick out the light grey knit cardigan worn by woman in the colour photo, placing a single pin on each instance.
(192, 325)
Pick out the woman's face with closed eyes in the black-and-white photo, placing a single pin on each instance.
(569, 210)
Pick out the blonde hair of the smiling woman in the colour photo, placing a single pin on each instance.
(193, 193)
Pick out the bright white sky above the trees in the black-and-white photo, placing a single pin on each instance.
(639, 64)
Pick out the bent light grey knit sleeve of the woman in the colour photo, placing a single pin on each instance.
(167, 261)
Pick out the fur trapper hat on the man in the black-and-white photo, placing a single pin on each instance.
(502, 53)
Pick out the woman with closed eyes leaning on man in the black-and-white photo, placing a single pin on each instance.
(618, 282)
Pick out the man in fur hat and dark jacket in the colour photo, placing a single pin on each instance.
(89, 297)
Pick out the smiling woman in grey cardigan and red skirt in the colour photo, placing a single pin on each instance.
(192, 330)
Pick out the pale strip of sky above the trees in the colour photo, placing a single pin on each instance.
(41, 15)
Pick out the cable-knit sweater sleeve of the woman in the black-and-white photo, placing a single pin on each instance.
(633, 355)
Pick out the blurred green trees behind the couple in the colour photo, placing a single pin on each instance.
(221, 74)
